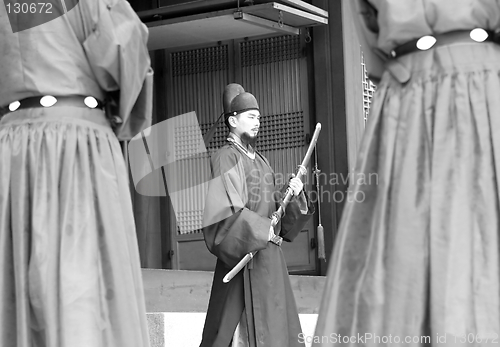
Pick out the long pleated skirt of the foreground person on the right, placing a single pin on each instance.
(417, 253)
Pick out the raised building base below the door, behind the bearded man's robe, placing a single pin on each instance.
(177, 300)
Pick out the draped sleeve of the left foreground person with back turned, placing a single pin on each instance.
(116, 49)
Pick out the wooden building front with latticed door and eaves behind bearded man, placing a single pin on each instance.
(301, 60)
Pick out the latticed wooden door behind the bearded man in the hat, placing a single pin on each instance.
(274, 69)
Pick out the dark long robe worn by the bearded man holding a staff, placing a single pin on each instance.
(241, 198)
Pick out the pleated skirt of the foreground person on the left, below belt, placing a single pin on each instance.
(69, 264)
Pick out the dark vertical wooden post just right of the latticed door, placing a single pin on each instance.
(330, 109)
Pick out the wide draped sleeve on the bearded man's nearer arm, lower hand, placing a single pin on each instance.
(231, 230)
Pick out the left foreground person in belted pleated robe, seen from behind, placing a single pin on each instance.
(69, 265)
